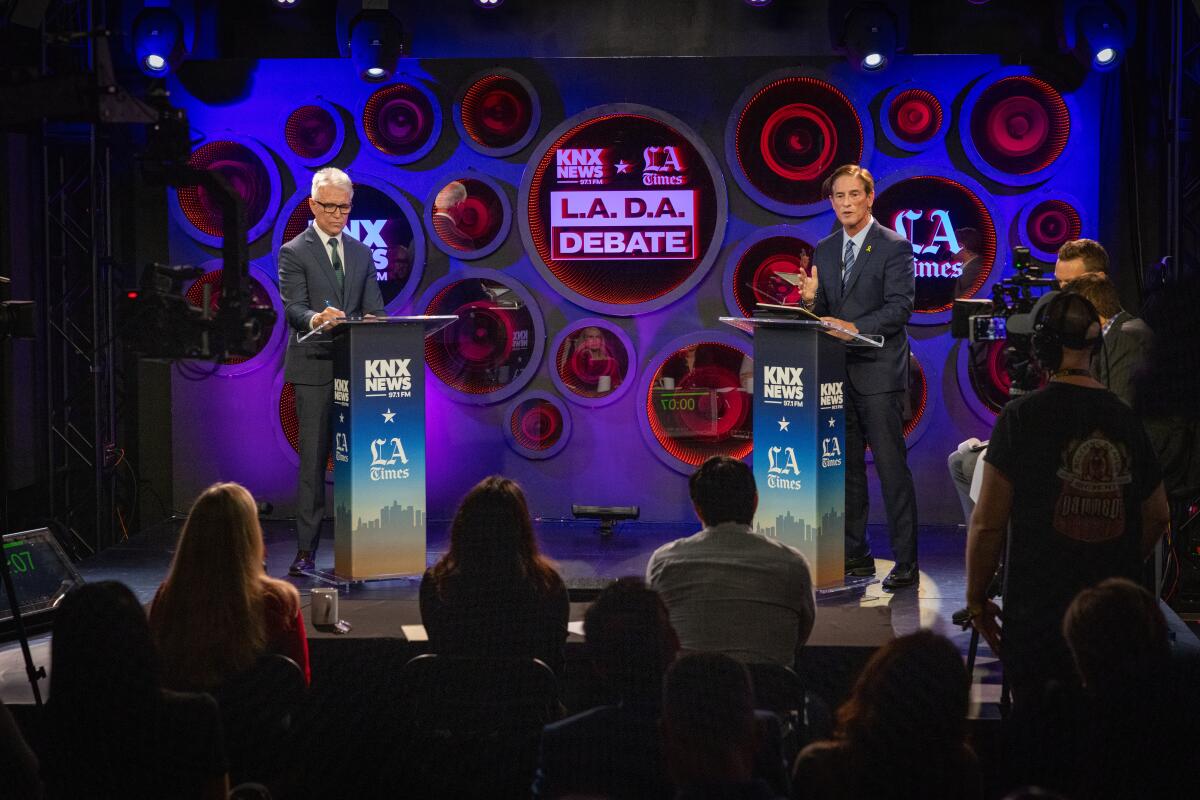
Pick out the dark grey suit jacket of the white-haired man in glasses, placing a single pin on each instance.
(307, 285)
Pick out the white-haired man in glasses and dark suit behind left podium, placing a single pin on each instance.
(325, 276)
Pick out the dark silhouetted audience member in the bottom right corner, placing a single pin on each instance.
(1137, 724)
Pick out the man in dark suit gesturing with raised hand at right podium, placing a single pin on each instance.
(865, 284)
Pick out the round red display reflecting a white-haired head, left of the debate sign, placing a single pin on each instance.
(469, 218)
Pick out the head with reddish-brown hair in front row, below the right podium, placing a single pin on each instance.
(913, 696)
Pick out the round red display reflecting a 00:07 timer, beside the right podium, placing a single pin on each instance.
(697, 404)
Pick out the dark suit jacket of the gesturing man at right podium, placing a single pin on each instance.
(878, 299)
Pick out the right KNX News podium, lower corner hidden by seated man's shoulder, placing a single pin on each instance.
(800, 437)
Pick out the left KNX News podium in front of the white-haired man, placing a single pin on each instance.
(380, 447)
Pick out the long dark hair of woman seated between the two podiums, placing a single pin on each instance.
(493, 536)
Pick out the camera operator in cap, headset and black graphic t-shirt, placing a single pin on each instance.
(1072, 477)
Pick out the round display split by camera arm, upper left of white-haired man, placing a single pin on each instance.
(253, 176)
